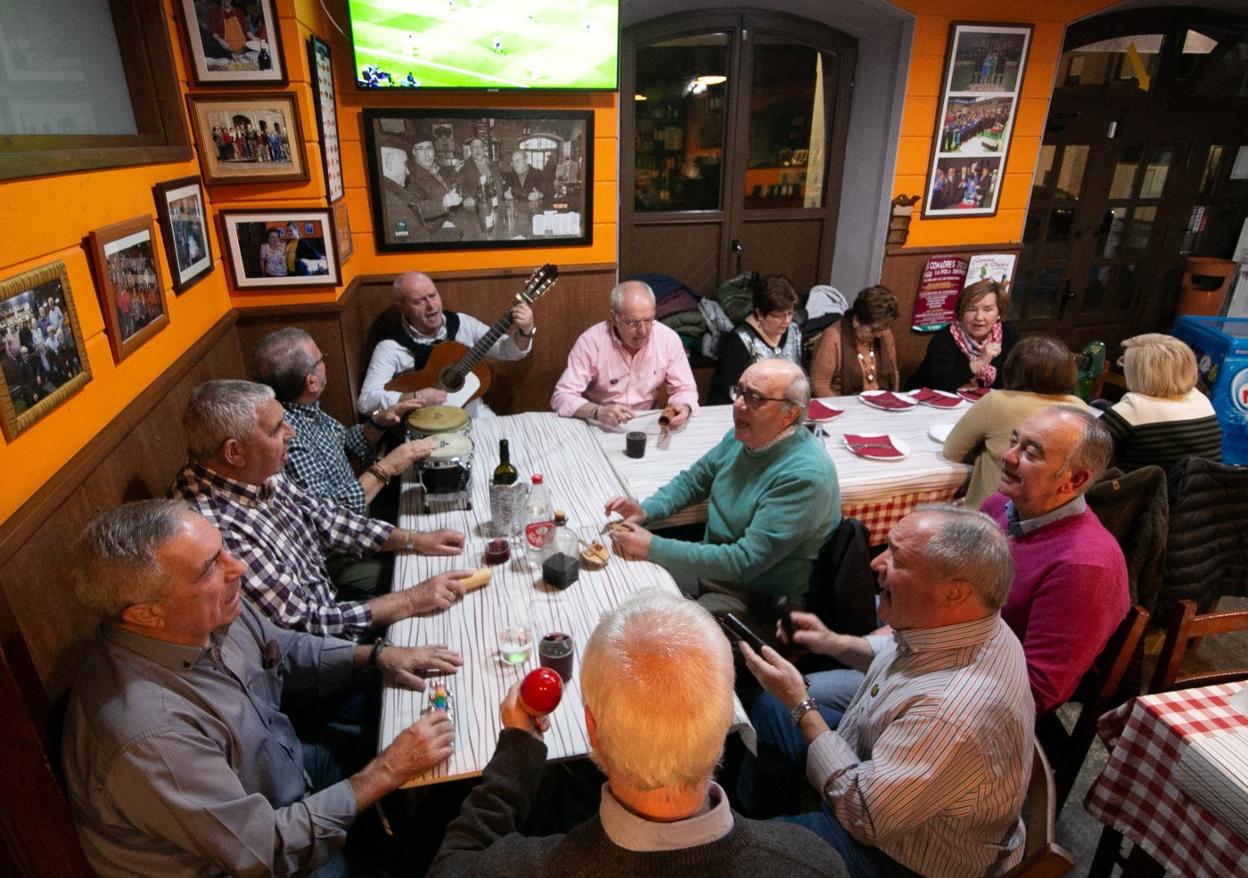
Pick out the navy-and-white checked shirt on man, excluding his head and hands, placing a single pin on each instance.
(281, 533)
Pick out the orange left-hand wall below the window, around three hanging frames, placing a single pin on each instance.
(47, 220)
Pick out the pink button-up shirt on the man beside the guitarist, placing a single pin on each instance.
(602, 371)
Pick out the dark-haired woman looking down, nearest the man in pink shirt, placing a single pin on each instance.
(766, 334)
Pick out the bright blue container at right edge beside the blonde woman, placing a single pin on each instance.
(1221, 346)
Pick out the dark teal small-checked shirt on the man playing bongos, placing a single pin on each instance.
(316, 460)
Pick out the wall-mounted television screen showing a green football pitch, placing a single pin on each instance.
(486, 44)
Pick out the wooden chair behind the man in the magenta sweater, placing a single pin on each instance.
(1099, 692)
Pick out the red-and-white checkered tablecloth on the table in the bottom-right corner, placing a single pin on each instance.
(1136, 794)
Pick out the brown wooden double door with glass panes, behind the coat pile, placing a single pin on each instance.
(733, 140)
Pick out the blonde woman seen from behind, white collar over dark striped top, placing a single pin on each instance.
(1163, 418)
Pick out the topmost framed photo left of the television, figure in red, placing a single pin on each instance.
(233, 42)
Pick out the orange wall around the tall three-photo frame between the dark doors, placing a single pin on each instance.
(933, 19)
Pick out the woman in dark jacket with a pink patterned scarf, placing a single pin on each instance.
(977, 346)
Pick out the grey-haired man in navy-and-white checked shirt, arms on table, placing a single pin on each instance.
(238, 437)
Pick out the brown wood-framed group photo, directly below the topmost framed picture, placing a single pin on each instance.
(249, 139)
